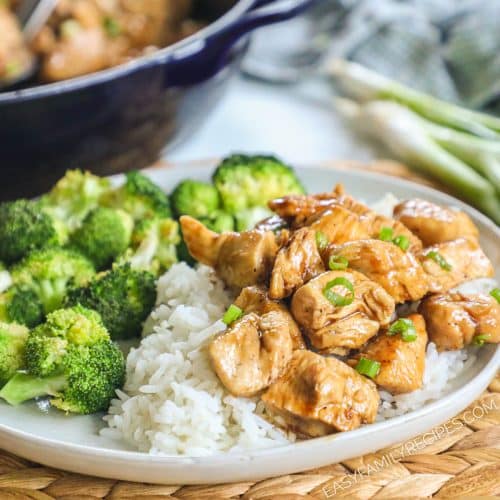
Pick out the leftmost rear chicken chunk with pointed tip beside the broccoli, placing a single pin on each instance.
(239, 259)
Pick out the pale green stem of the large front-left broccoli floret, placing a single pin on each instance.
(23, 387)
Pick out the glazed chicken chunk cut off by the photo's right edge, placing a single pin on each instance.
(454, 320)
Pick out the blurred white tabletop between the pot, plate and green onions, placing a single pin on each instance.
(296, 122)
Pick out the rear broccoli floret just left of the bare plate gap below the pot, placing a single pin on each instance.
(140, 197)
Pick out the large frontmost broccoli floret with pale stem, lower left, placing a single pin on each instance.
(72, 359)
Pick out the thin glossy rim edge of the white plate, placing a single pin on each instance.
(133, 456)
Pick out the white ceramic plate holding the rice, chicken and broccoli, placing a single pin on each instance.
(72, 442)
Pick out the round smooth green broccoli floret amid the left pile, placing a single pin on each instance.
(104, 235)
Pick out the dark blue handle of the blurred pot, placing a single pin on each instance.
(203, 58)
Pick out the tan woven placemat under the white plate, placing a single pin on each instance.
(460, 458)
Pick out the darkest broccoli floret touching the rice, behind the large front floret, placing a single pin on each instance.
(123, 297)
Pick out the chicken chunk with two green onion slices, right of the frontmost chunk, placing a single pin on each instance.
(402, 363)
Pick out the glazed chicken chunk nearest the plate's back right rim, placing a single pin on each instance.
(433, 223)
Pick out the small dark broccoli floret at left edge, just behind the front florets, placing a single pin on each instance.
(20, 304)
